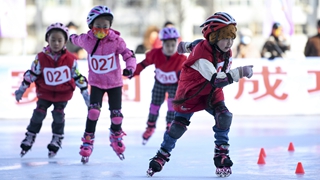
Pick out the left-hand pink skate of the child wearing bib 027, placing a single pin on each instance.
(87, 147)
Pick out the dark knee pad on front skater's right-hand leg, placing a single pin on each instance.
(223, 117)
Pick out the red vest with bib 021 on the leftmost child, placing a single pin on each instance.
(55, 83)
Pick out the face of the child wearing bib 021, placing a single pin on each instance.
(56, 41)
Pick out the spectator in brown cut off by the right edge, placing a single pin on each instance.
(312, 47)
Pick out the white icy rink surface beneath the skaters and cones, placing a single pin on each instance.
(190, 160)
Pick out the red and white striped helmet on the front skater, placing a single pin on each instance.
(215, 22)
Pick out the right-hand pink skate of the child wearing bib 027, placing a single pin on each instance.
(116, 142)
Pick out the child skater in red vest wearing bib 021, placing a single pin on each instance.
(55, 74)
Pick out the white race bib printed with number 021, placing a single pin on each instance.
(56, 76)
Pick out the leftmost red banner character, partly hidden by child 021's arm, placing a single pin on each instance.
(30, 95)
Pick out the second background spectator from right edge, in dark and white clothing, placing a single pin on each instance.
(276, 45)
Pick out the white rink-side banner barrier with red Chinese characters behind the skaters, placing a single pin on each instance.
(279, 87)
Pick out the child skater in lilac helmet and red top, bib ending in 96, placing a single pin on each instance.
(168, 64)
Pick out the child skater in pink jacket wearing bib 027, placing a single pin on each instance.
(104, 45)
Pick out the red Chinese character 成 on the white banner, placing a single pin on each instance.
(270, 89)
